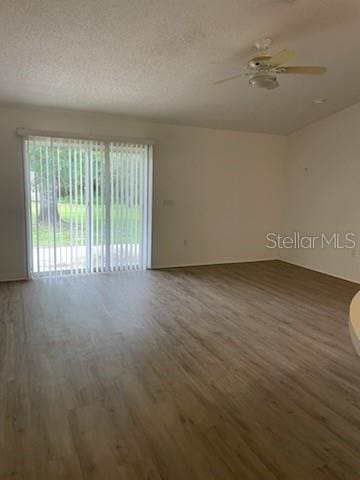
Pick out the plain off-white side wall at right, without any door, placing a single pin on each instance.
(322, 190)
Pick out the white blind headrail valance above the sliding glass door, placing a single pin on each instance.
(23, 132)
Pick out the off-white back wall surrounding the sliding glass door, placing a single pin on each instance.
(225, 187)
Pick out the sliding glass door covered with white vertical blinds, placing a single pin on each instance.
(89, 205)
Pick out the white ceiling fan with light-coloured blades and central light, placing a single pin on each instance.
(263, 68)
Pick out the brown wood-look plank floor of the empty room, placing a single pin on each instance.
(209, 373)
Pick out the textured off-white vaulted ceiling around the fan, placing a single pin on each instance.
(155, 58)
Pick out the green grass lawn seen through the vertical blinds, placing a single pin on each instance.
(126, 225)
